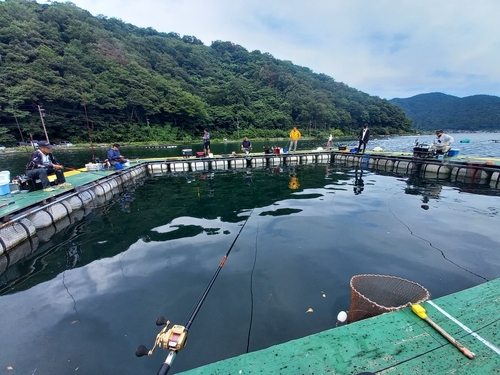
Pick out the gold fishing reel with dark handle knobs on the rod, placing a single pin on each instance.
(173, 338)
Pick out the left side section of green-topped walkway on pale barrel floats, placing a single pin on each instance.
(32, 218)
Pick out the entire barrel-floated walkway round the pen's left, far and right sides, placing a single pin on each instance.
(35, 215)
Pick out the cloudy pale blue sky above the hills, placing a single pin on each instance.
(387, 48)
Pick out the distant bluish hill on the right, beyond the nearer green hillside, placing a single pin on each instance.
(436, 110)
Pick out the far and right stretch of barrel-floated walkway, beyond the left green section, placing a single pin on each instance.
(459, 168)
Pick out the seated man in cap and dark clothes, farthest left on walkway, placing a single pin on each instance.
(43, 163)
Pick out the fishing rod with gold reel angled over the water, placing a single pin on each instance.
(174, 339)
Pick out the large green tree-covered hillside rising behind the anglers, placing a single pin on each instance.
(113, 81)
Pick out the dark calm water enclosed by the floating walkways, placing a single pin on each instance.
(90, 295)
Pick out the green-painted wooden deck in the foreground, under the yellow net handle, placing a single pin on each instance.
(394, 343)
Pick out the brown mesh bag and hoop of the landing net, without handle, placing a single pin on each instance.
(372, 295)
